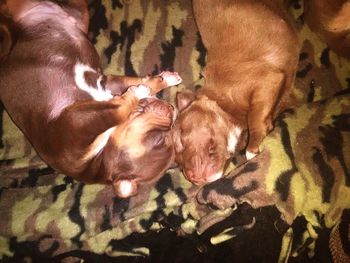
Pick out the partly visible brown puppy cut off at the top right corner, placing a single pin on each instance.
(330, 19)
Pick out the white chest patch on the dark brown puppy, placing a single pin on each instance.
(97, 92)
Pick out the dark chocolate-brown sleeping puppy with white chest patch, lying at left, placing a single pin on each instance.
(75, 117)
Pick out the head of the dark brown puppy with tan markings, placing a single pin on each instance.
(142, 147)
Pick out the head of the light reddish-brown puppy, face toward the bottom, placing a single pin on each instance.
(204, 138)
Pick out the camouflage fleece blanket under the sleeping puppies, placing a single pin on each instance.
(292, 201)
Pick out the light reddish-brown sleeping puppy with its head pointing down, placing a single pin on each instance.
(251, 63)
